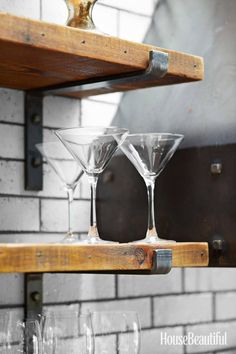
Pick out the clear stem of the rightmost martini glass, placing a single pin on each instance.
(151, 231)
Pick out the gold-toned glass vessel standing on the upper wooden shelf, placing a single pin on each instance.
(80, 14)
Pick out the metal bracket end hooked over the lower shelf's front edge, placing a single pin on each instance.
(162, 261)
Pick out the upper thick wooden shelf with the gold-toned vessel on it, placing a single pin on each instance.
(35, 54)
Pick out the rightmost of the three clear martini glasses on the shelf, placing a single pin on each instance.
(150, 153)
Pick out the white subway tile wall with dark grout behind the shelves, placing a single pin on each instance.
(191, 300)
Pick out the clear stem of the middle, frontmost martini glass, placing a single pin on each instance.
(93, 231)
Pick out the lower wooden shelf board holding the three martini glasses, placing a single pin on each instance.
(32, 258)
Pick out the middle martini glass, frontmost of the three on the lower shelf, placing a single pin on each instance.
(92, 148)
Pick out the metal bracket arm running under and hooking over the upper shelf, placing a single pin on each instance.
(157, 68)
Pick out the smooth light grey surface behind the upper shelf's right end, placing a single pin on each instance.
(205, 111)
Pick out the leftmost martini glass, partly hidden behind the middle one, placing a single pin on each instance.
(68, 172)
